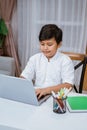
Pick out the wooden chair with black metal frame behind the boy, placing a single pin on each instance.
(82, 58)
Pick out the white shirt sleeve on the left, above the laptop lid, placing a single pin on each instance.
(29, 70)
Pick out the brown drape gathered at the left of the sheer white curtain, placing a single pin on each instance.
(6, 10)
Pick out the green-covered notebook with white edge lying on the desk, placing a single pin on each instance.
(77, 103)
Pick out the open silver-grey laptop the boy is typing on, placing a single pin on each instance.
(18, 89)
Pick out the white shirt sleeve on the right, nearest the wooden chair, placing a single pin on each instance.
(67, 73)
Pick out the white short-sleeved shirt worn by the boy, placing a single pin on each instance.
(46, 73)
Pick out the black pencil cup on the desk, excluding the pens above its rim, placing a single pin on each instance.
(59, 105)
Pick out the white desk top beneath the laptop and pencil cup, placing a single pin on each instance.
(28, 117)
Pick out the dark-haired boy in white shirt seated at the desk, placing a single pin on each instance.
(50, 69)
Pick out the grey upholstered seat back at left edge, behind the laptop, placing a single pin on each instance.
(7, 65)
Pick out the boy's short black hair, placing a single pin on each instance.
(49, 31)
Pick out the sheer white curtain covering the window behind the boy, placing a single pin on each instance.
(69, 15)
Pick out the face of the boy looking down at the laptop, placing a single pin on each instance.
(49, 47)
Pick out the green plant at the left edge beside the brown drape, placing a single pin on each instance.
(3, 33)
